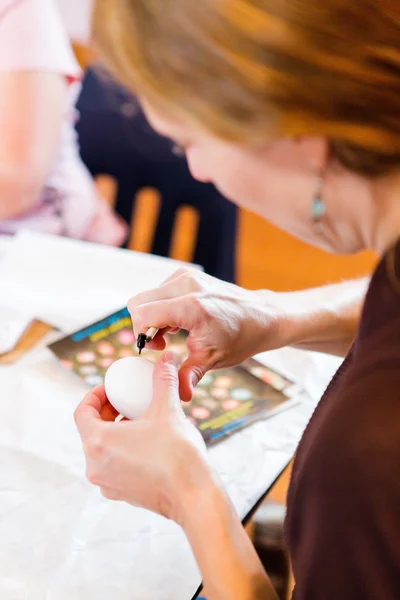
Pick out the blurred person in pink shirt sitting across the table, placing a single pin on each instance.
(43, 183)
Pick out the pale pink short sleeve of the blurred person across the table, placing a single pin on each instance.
(33, 37)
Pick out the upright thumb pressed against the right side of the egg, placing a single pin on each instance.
(166, 385)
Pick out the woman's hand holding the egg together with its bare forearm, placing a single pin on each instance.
(156, 462)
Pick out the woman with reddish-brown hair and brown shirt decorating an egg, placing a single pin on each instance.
(292, 109)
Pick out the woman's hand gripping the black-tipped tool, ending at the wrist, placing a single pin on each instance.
(226, 324)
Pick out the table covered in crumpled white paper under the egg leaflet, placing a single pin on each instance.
(59, 538)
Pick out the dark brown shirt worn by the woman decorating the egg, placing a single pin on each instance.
(343, 522)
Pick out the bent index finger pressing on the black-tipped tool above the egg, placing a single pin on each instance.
(182, 313)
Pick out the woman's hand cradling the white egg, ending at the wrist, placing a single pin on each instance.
(152, 462)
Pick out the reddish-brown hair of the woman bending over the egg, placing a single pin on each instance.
(249, 69)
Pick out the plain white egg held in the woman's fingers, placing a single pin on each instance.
(129, 385)
